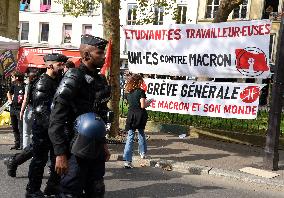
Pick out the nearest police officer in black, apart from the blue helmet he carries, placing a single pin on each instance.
(82, 90)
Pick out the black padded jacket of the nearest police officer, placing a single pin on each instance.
(80, 91)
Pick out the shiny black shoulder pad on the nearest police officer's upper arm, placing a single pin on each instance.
(69, 85)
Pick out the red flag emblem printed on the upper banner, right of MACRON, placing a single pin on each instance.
(245, 59)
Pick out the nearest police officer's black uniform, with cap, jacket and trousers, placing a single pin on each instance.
(80, 91)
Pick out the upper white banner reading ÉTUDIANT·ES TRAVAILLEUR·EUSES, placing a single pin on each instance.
(217, 50)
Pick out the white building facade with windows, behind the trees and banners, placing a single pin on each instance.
(43, 24)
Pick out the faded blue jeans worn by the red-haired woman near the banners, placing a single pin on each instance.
(128, 149)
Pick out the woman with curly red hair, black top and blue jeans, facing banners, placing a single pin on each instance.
(136, 118)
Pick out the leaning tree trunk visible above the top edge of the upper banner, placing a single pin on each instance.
(225, 8)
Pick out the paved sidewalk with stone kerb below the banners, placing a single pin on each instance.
(203, 156)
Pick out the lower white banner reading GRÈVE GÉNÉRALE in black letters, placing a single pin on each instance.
(213, 99)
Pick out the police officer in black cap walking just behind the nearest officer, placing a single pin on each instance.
(42, 96)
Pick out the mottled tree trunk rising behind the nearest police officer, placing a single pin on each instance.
(112, 31)
